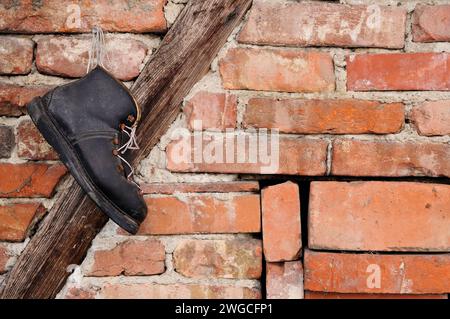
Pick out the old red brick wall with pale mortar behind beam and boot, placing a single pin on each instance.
(359, 203)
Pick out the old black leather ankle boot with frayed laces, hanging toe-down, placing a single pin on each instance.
(91, 124)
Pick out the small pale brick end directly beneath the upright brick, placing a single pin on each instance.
(284, 280)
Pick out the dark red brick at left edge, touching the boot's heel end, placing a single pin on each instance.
(13, 98)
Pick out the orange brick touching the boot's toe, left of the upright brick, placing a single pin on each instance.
(202, 214)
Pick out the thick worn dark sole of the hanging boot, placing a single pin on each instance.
(49, 129)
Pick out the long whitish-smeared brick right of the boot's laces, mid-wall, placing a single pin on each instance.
(296, 156)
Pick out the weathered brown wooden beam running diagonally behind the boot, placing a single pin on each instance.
(184, 56)
